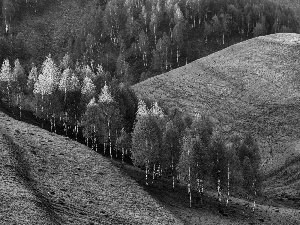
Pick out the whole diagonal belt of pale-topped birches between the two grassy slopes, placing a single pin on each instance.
(164, 141)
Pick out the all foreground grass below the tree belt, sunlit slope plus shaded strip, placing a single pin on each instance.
(67, 183)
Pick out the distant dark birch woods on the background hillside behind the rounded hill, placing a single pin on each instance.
(137, 39)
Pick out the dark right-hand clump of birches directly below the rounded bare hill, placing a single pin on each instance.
(192, 150)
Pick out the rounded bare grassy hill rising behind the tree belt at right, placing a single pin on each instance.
(251, 86)
